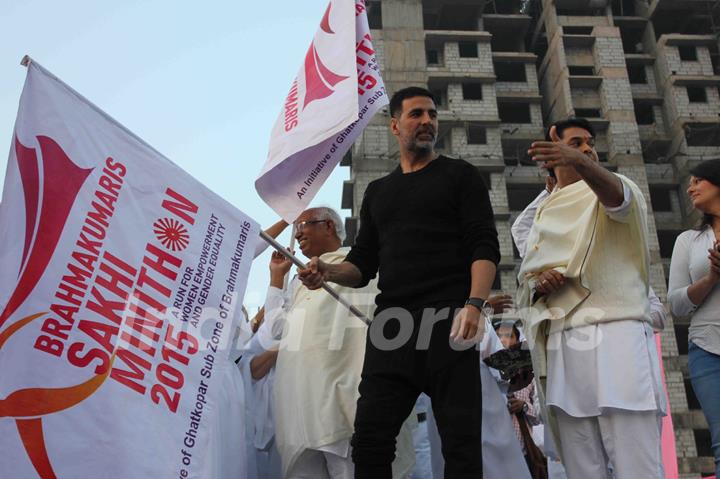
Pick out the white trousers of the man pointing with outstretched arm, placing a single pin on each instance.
(626, 441)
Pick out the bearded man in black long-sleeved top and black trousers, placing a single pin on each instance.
(428, 229)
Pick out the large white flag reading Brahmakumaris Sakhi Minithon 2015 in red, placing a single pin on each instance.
(120, 279)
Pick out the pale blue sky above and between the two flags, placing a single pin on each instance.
(202, 82)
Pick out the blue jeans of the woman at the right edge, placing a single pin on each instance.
(705, 377)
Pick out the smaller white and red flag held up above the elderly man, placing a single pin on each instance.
(335, 95)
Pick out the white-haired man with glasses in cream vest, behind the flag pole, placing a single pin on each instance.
(320, 360)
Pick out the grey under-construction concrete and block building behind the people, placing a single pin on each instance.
(644, 72)
